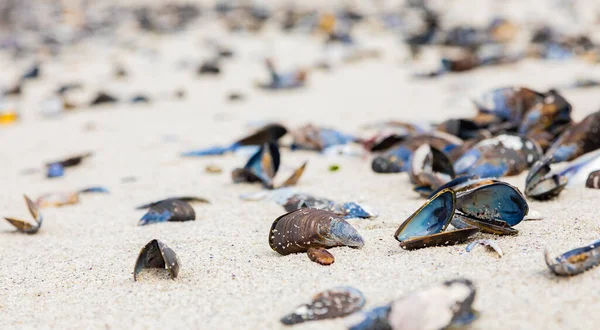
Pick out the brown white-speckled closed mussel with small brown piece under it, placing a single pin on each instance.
(312, 230)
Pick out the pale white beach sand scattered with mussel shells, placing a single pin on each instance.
(77, 271)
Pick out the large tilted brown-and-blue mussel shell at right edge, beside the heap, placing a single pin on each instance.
(581, 138)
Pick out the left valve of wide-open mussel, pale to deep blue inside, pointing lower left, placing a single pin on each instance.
(431, 218)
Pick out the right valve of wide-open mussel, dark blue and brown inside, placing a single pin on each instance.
(497, 201)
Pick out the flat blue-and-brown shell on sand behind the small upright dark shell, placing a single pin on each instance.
(170, 209)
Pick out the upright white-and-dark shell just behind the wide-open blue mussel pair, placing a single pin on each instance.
(430, 168)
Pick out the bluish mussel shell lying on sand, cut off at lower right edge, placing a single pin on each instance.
(575, 261)
